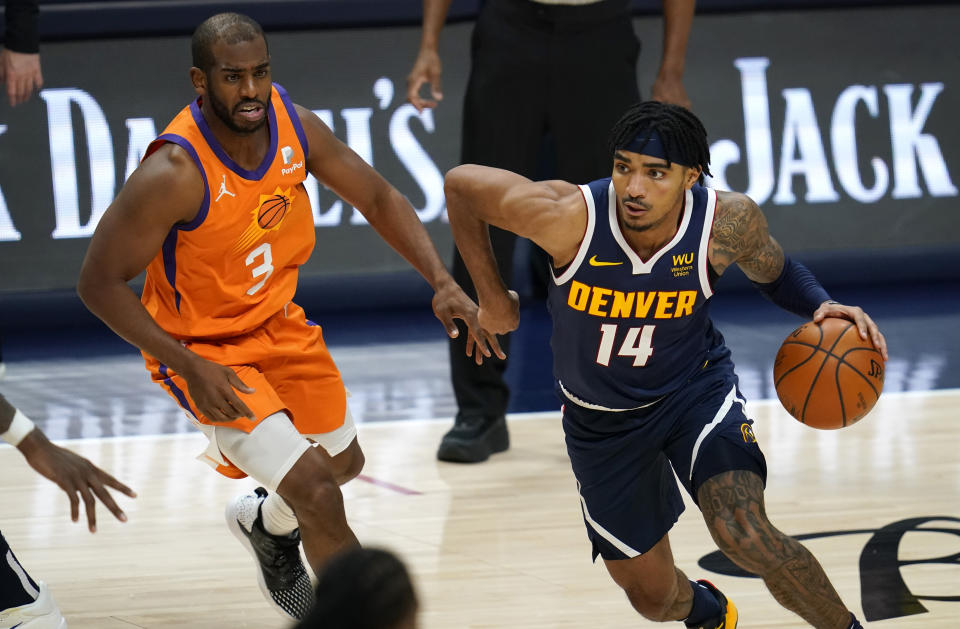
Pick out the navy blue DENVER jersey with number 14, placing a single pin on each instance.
(627, 331)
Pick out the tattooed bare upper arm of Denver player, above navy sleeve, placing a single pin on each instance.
(740, 235)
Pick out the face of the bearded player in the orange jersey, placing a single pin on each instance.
(238, 85)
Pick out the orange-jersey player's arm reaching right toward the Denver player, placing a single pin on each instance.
(391, 215)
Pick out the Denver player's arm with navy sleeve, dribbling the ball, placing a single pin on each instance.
(741, 235)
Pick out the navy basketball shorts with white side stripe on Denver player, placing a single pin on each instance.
(624, 462)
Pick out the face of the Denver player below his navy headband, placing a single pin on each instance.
(649, 191)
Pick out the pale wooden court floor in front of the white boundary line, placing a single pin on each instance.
(501, 544)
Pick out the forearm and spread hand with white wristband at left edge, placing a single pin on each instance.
(75, 475)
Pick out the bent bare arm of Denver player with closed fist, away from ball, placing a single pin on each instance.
(551, 213)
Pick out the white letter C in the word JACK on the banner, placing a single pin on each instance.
(843, 137)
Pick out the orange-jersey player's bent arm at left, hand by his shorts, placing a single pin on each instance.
(165, 190)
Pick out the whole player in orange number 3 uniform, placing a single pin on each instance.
(218, 216)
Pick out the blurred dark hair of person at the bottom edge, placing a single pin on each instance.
(362, 588)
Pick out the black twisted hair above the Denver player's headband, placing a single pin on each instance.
(683, 134)
